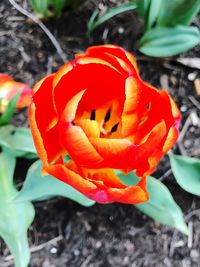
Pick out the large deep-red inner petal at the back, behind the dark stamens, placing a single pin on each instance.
(103, 85)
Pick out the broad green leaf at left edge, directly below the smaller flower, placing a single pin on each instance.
(19, 140)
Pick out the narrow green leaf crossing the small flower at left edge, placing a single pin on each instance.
(10, 109)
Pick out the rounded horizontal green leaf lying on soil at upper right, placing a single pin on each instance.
(164, 42)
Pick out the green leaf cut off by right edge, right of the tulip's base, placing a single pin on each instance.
(186, 170)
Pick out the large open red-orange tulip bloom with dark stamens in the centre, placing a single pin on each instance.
(97, 110)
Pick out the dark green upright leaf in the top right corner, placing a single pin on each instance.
(178, 12)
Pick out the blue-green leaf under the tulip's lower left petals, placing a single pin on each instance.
(37, 187)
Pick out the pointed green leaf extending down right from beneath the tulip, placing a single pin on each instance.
(161, 206)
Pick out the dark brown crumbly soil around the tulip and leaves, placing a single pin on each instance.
(65, 233)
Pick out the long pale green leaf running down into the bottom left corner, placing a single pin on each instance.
(15, 218)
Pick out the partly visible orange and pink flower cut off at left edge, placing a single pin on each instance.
(9, 88)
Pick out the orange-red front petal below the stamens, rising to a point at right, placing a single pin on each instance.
(123, 154)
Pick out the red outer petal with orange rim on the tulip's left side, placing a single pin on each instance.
(44, 127)
